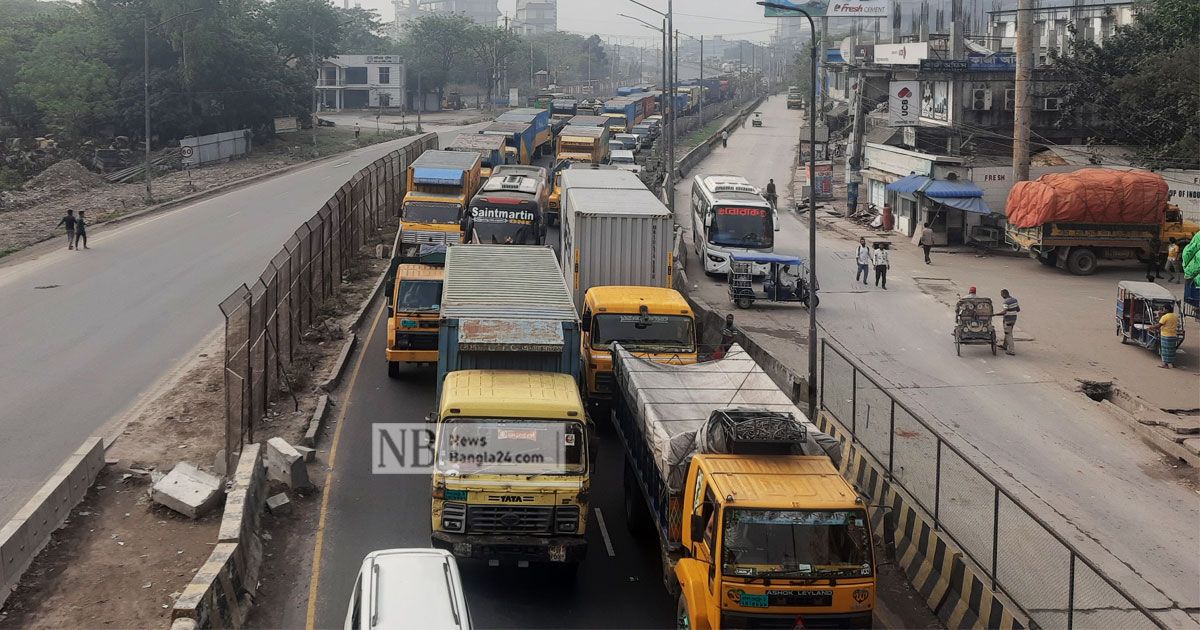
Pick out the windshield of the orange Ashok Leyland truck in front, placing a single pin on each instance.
(796, 544)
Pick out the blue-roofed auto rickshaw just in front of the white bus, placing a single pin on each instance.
(787, 280)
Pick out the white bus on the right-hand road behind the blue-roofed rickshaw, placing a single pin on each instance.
(729, 217)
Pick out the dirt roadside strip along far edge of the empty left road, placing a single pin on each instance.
(31, 215)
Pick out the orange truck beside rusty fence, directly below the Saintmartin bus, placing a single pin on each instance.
(413, 295)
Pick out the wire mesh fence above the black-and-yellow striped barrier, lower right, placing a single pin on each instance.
(1019, 553)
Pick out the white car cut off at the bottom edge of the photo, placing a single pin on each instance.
(417, 589)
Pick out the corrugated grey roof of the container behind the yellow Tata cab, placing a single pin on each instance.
(505, 283)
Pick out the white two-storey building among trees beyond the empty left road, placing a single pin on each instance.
(358, 82)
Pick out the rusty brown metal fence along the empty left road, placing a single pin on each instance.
(265, 321)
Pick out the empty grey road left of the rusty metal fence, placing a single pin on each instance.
(87, 333)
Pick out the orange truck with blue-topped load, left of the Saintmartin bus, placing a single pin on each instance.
(440, 187)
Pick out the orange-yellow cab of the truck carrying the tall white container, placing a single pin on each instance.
(655, 323)
